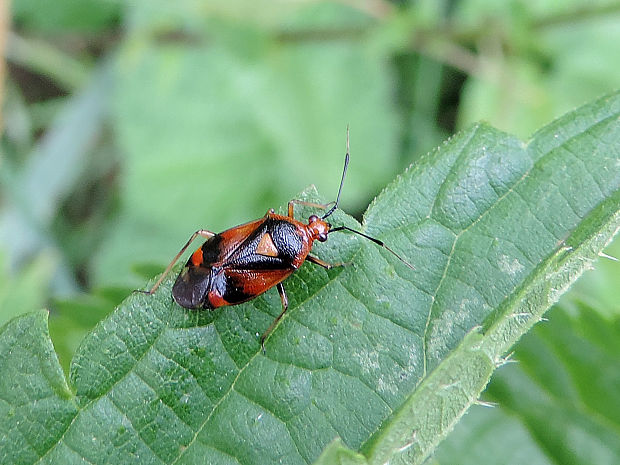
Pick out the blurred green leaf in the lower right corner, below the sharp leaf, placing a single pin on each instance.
(559, 403)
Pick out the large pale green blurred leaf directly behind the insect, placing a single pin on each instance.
(224, 120)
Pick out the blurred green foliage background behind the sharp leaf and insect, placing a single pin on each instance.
(128, 125)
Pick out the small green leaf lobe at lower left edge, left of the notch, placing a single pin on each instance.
(36, 405)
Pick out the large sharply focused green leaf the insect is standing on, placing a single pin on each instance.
(386, 358)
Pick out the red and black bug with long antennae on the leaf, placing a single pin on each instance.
(243, 262)
